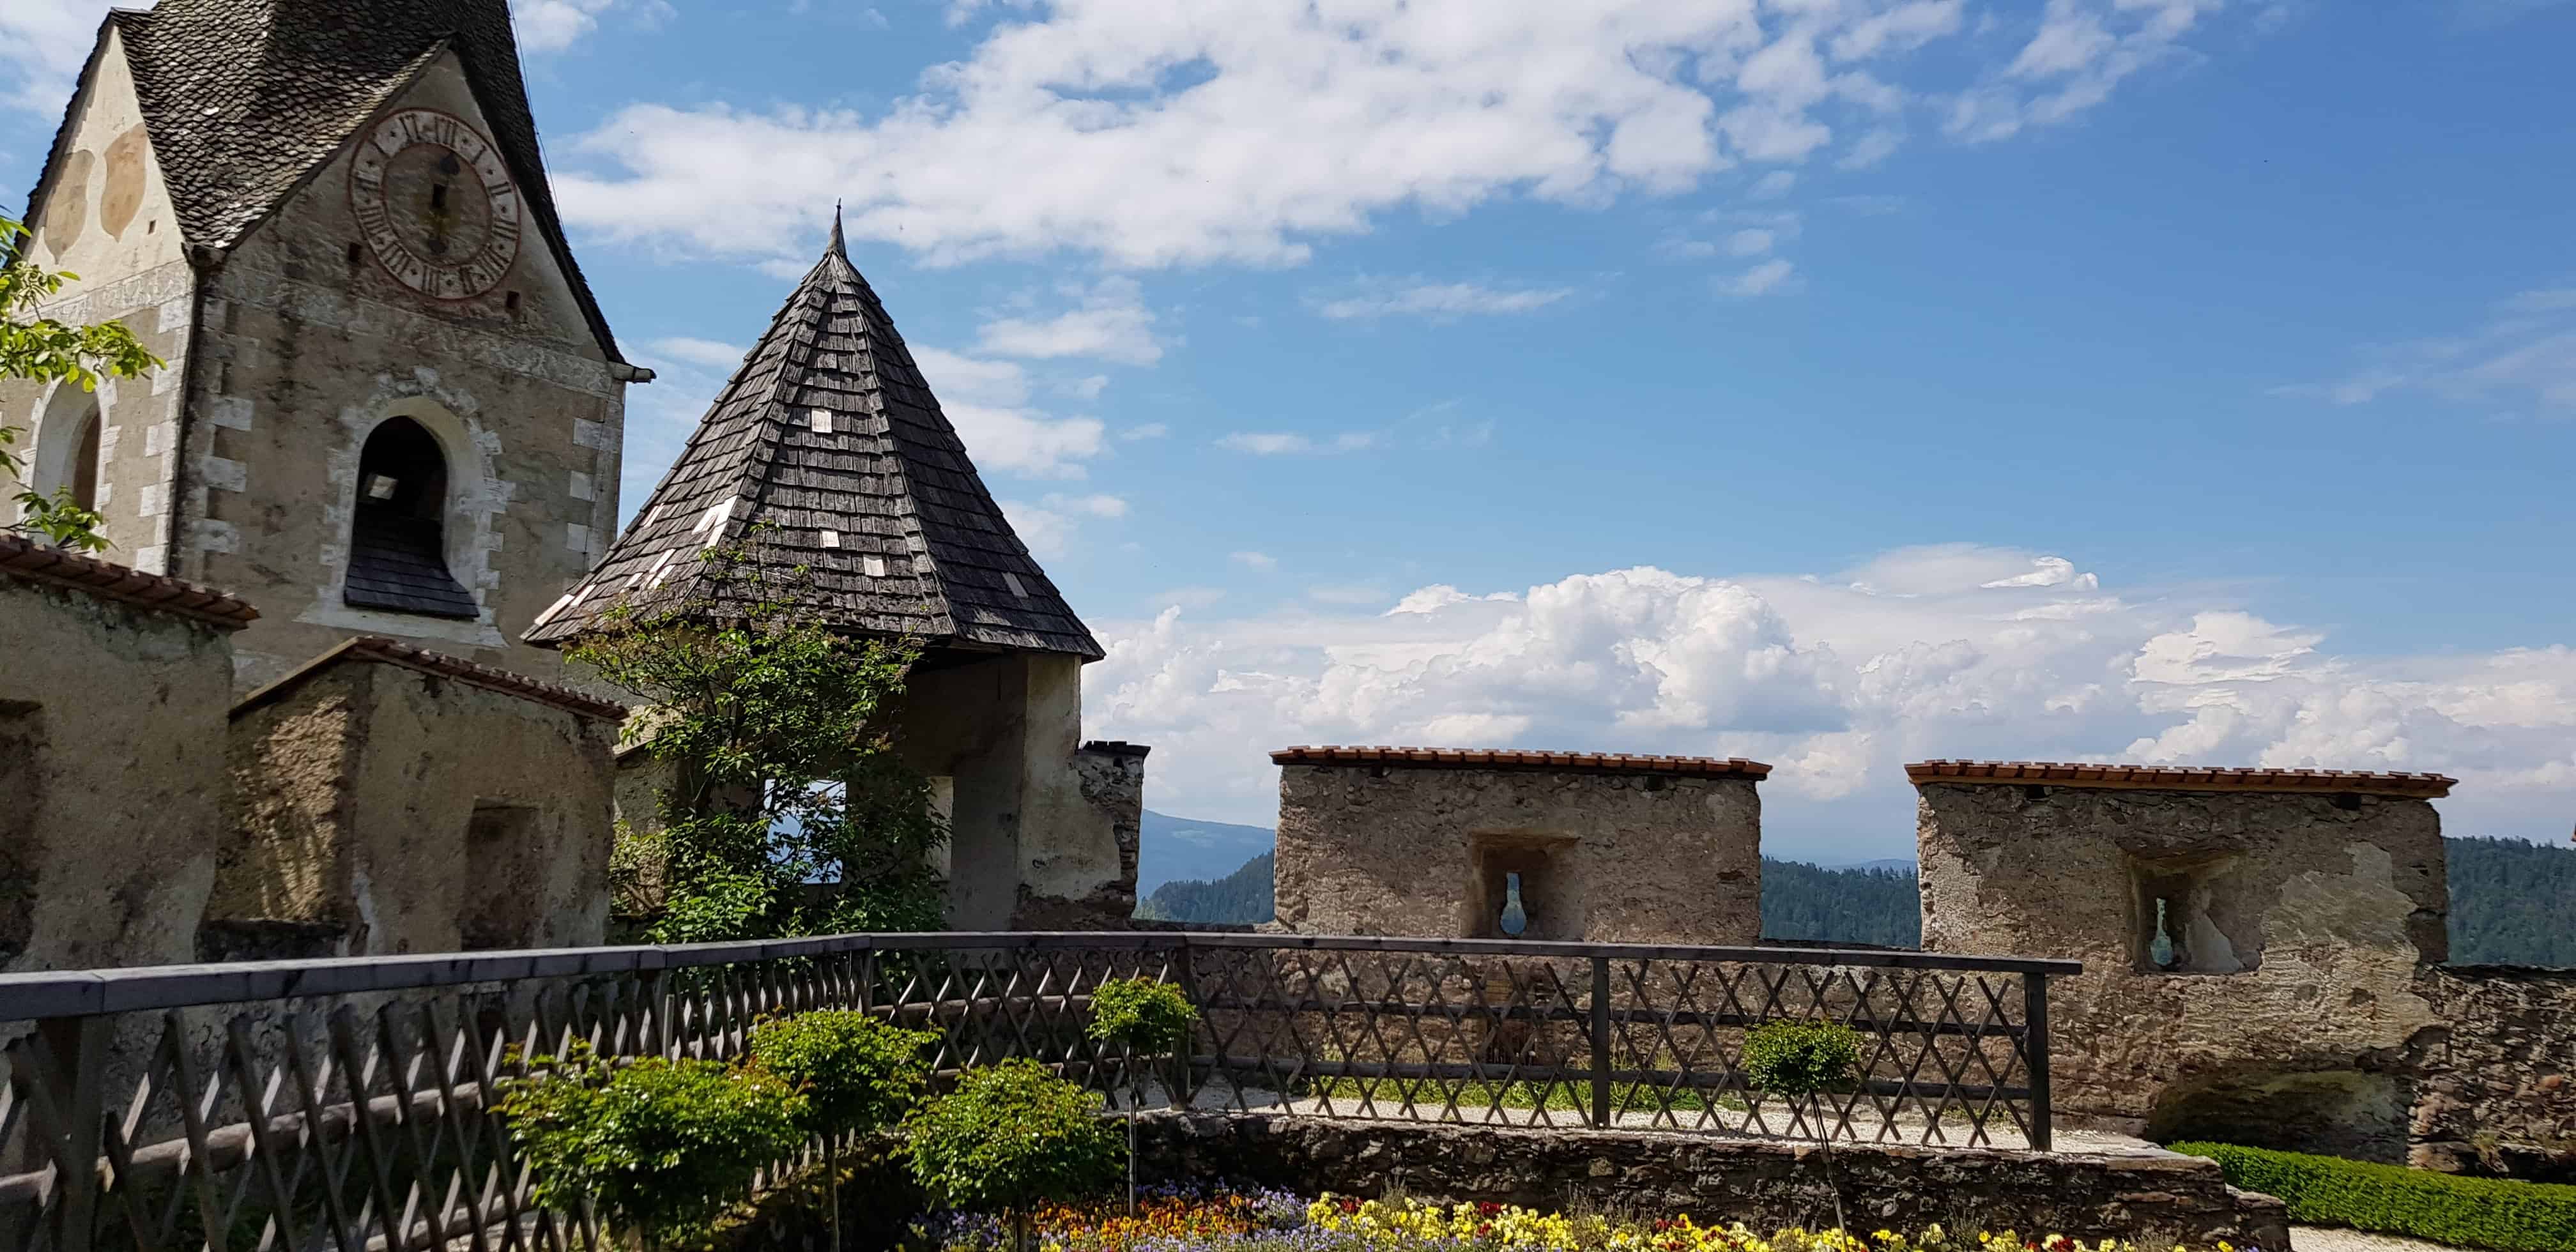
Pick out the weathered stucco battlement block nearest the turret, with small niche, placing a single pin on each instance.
(1604, 857)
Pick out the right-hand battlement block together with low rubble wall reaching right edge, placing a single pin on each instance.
(2307, 1003)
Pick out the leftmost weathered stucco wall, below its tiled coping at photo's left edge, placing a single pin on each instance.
(112, 779)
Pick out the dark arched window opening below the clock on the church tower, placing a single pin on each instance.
(398, 547)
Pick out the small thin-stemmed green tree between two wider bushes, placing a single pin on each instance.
(857, 1073)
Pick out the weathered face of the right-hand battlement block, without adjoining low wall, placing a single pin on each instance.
(2307, 921)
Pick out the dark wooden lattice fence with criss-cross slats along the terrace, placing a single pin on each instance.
(346, 1106)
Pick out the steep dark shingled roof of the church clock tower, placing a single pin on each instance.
(246, 99)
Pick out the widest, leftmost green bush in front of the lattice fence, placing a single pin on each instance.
(656, 1145)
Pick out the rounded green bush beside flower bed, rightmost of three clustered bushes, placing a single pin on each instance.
(1009, 1140)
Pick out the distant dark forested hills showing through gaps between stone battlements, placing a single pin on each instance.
(2510, 903)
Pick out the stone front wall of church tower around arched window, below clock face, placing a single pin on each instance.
(303, 354)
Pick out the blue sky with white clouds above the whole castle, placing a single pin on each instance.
(1830, 383)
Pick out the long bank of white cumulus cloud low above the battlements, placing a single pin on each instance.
(1838, 681)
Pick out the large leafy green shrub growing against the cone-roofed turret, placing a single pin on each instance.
(784, 774)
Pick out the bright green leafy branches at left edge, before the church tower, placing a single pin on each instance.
(43, 349)
